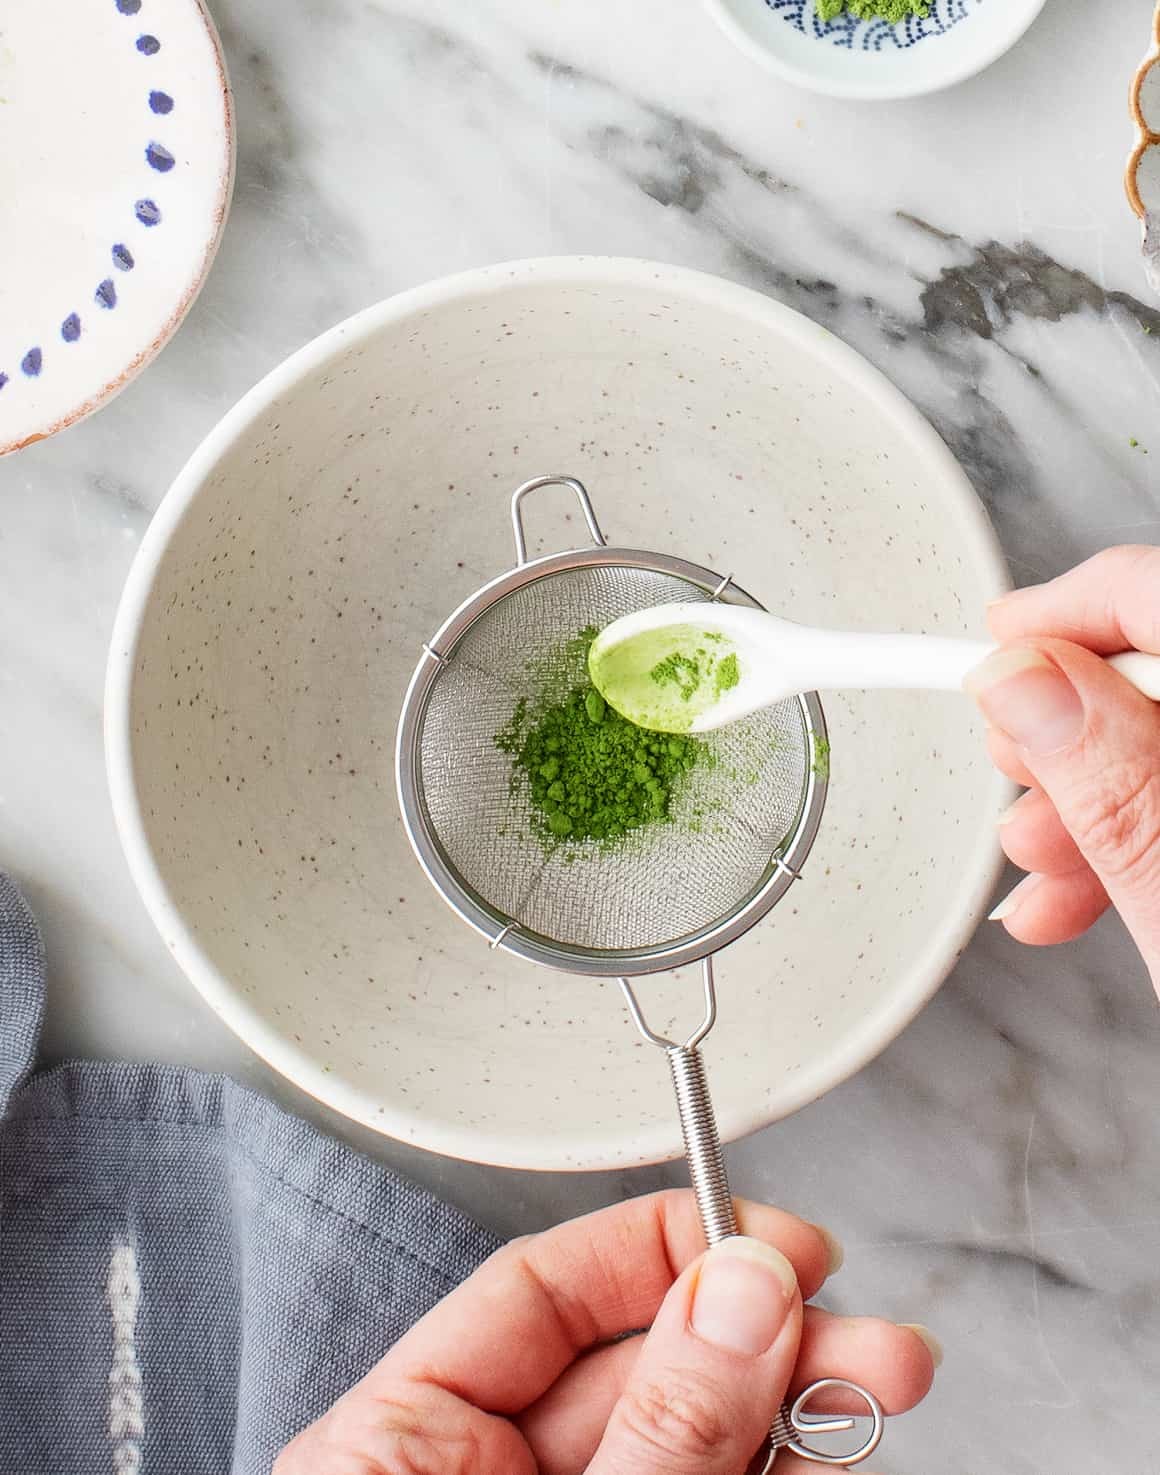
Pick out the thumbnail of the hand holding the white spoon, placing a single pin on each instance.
(1028, 697)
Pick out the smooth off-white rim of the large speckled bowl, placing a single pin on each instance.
(535, 1150)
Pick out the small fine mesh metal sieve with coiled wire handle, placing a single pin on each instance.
(666, 895)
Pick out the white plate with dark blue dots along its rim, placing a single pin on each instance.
(116, 176)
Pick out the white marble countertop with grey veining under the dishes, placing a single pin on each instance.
(995, 1173)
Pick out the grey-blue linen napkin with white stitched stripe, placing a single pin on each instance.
(188, 1275)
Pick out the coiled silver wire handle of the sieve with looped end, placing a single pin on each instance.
(715, 1204)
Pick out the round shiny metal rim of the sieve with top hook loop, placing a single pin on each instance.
(508, 933)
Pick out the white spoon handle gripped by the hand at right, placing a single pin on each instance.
(935, 664)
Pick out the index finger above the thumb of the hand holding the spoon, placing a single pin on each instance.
(1108, 605)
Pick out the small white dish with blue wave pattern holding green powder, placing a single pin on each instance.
(852, 58)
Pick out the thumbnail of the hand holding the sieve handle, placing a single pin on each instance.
(743, 1296)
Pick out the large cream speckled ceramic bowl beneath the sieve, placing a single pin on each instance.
(331, 523)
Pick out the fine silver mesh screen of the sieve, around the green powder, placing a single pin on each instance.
(657, 886)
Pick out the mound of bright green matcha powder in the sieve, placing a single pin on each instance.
(591, 774)
